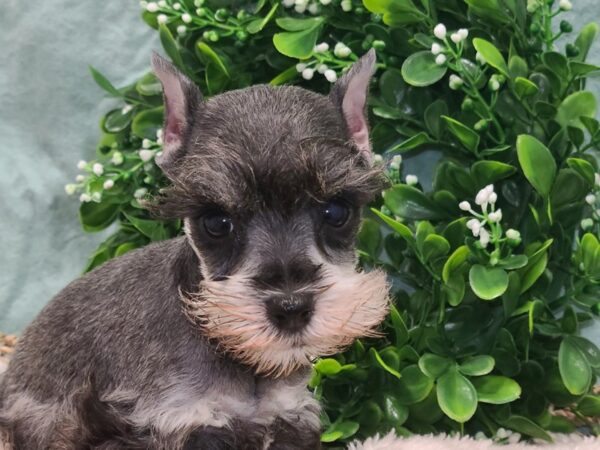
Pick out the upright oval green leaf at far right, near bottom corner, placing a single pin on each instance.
(574, 368)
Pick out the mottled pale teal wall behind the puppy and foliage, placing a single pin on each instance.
(49, 112)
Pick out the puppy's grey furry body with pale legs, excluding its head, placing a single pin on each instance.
(169, 384)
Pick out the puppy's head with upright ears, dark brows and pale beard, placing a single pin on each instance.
(270, 182)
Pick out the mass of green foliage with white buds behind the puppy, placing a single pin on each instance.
(488, 299)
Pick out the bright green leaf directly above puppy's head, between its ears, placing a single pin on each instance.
(298, 44)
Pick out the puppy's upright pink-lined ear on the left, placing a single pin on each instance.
(182, 99)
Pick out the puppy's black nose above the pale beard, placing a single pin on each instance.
(290, 313)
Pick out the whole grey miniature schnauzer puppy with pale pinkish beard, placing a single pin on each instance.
(205, 341)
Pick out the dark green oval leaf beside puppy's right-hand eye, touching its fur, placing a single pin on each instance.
(410, 203)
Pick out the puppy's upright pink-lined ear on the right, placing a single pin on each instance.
(349, 94)
